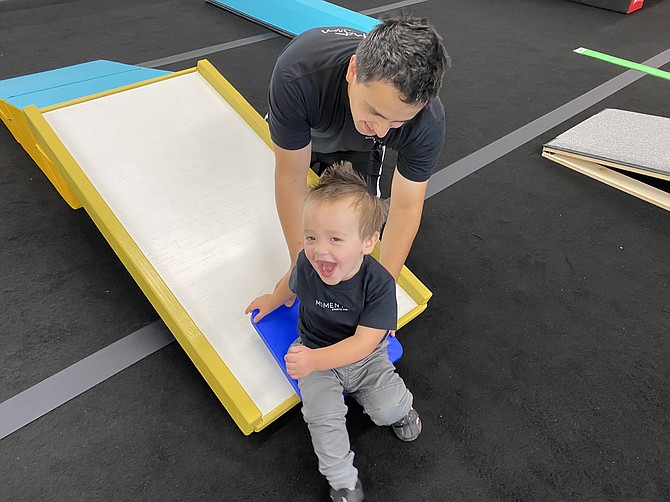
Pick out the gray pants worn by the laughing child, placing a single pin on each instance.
(376, 386)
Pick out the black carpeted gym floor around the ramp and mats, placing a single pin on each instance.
(541, 367)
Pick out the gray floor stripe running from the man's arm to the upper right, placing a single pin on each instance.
(468, 165)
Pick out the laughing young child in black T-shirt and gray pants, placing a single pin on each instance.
(348, 305)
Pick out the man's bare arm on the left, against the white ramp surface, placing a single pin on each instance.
(291, 168)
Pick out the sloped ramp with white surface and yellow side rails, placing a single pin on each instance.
(176, 172)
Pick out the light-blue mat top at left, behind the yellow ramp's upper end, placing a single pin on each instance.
(72, 82)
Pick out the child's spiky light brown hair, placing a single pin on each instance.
(339, 182)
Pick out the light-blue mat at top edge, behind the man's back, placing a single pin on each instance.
(292, 17)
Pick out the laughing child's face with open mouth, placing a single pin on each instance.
(333, 244)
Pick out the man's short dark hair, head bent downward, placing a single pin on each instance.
(407, 52)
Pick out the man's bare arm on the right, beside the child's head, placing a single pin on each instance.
(402, 223)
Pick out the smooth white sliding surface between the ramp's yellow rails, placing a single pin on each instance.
(192, 184)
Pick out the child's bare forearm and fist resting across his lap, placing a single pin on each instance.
(301, 360)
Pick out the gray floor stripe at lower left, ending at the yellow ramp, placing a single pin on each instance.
(69, 383)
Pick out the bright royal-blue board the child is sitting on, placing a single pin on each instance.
(279, 330)
